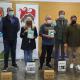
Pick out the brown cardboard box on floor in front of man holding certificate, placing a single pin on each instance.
(49, 74)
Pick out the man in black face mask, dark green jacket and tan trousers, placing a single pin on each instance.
(73, 42)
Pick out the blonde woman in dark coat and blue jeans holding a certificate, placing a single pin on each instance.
(28, 35)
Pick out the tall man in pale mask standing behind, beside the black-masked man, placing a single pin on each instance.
(61, 24)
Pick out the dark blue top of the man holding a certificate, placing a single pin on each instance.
(44, 30)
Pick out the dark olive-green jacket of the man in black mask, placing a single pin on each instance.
(73, 35)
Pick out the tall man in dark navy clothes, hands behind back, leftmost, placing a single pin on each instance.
(10, 29)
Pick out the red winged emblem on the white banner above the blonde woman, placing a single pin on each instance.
(27, 12)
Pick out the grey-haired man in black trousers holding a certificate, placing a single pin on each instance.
(47, 42)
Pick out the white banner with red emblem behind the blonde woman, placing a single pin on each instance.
(22, 12)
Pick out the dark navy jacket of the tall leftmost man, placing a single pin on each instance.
(10, 27)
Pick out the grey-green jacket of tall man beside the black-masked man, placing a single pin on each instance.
(60, 28)
